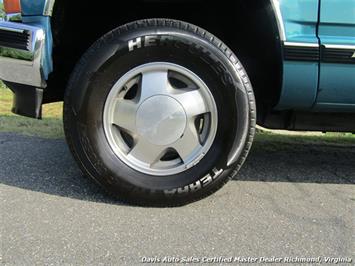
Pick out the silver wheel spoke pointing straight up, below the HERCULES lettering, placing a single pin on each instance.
(154, 83)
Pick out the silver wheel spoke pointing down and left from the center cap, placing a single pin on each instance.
(146, 152)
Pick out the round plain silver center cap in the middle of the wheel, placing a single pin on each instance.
(161, 120)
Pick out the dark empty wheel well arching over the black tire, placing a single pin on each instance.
(248, 27)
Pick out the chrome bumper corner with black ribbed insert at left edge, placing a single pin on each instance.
(21, 52)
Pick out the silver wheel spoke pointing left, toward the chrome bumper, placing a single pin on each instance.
(125, 115)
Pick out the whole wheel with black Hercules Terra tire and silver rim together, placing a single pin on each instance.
(104, 150)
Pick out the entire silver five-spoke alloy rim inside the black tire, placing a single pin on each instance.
(160, 119)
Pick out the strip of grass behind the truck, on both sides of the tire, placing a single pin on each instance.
(52, 127)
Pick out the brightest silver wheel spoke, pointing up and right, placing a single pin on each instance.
(193, 103)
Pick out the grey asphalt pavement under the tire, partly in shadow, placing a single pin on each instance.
(290, 201)
